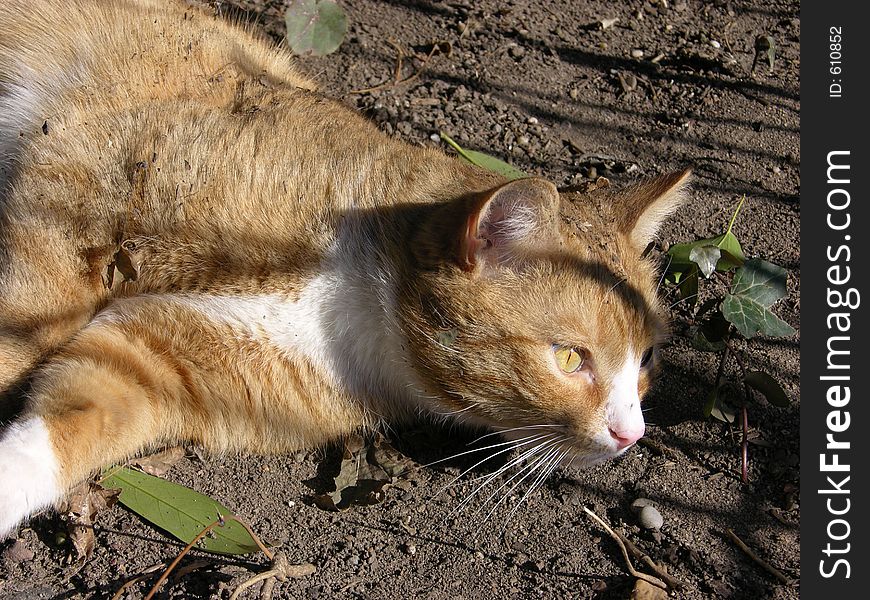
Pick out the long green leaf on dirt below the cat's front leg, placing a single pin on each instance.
(179, 510)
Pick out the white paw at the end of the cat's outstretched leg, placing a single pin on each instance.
(28, 472)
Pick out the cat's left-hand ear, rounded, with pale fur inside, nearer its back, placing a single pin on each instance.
(503, 223)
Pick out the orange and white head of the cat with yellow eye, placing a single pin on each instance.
(538, 322)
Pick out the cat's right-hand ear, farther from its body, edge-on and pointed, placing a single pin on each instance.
(641, 210)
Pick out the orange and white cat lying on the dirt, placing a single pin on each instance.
(195, 245)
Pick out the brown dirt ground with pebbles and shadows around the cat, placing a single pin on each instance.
(548, 87)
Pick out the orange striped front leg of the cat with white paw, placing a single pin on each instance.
(154, 370)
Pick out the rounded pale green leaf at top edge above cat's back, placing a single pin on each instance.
(315, 26)
